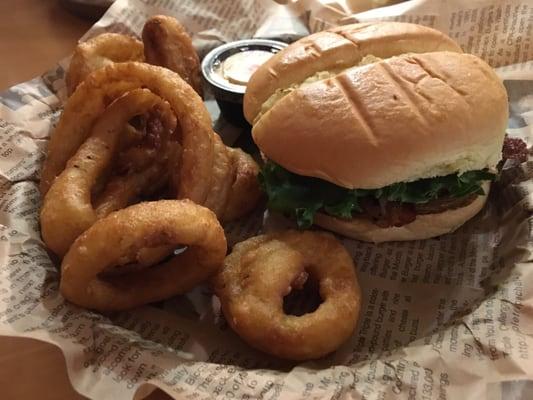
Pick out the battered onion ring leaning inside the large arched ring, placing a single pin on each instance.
(67, 210)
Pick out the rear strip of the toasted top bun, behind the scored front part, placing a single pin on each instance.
(336, 49)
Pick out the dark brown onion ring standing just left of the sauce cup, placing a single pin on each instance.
(167, 44)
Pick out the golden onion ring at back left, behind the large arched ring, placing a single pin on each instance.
(99, 51)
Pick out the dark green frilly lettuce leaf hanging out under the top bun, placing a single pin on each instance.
(302, 197)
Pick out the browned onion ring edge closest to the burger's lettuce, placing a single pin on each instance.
(245, 191)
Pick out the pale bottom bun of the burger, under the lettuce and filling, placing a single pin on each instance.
(425, 226)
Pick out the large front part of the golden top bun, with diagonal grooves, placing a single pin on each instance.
(401, 119)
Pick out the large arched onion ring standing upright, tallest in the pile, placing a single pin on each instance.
(103, 86)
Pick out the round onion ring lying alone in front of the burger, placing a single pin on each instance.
(262, 270)
